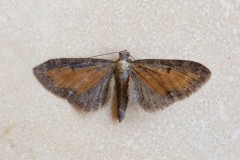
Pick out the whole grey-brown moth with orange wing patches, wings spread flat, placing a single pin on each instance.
(157, 83)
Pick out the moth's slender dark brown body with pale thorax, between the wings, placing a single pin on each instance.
(122, 77)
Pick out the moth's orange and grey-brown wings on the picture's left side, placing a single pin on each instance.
(83, 81)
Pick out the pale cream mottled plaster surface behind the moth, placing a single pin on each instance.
(35, 124)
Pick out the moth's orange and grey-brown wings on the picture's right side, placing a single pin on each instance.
(158, 83)
